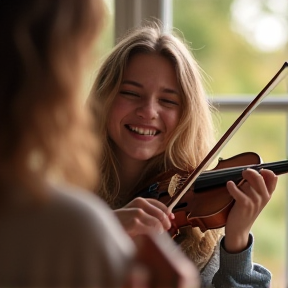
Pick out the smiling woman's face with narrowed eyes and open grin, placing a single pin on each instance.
(146, 109)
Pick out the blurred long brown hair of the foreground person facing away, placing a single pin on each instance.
(43, 125)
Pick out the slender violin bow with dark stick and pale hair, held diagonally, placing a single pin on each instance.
(279, 76)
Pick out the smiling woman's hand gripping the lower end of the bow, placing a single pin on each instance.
(144, 216)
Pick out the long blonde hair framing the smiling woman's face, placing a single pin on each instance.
(194, 135)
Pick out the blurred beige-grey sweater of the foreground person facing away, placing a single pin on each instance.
(72, 241)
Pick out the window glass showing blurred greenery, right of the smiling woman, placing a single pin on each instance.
(241, 44)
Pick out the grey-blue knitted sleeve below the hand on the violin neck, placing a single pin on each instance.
(238, 270)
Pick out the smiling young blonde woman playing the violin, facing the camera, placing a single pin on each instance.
(158, 118)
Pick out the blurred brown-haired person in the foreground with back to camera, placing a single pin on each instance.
(53, 233)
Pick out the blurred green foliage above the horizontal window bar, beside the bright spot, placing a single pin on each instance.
(234, 65)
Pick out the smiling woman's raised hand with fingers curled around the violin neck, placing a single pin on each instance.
(250, 199)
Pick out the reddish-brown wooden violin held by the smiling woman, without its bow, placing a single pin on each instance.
(207, 202)
